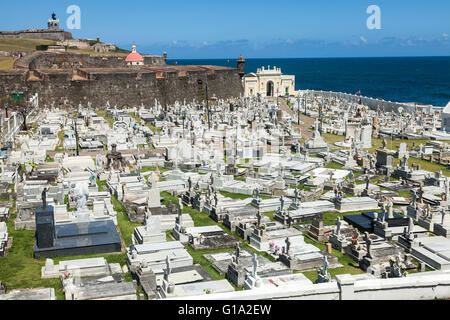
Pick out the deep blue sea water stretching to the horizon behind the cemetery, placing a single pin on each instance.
(404, 79)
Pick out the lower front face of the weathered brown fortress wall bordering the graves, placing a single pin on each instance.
(129, 87)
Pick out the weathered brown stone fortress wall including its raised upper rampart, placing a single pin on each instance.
(70, 79)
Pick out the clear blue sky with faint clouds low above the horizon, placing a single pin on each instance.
(257, 29)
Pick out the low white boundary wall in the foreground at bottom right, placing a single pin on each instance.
(427, 286)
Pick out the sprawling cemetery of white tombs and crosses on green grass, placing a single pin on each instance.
(234, 200)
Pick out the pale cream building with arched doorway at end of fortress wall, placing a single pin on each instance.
(269, 83)
